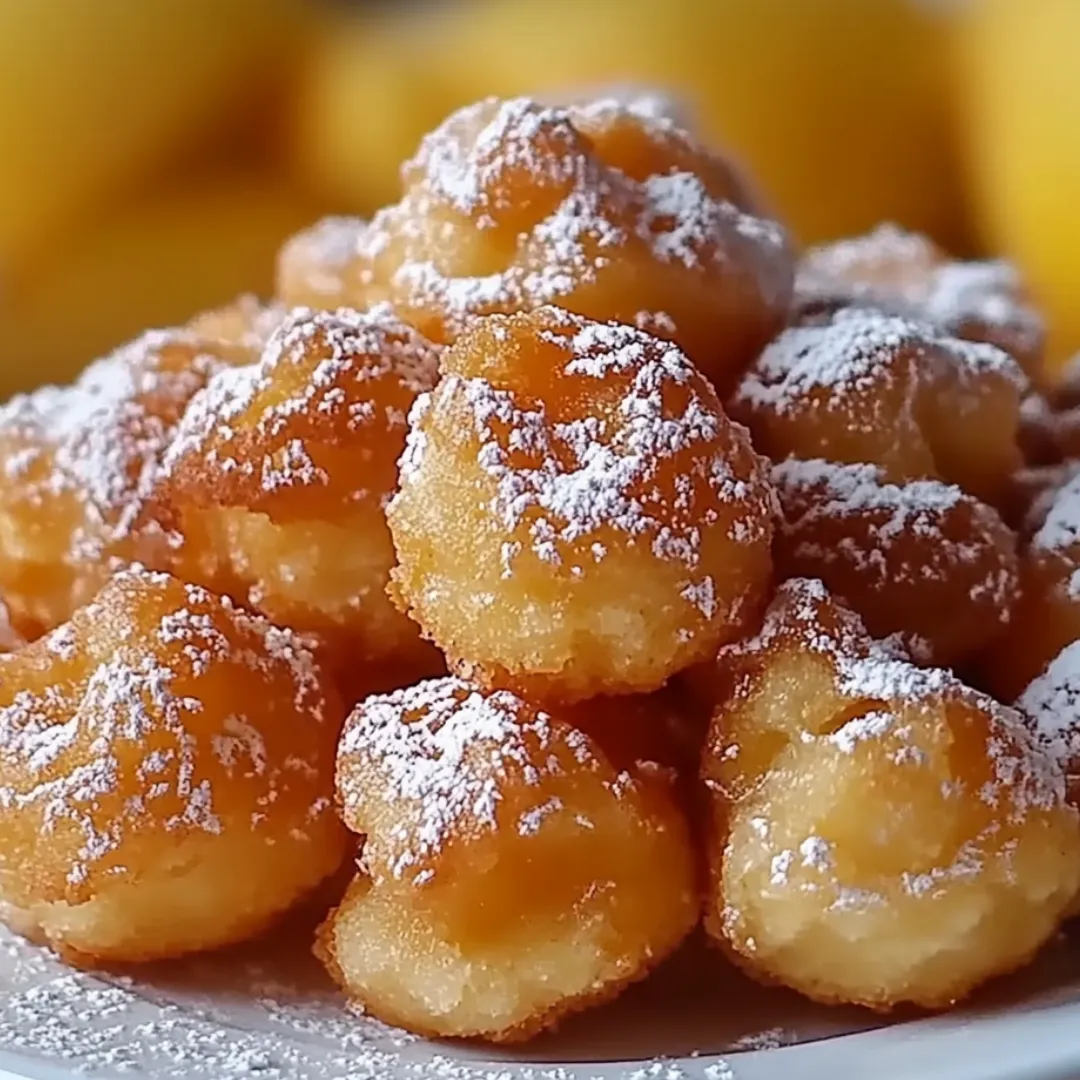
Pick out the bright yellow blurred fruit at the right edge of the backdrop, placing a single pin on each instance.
(1020, 76)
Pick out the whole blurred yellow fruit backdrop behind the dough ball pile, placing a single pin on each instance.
(155, 154)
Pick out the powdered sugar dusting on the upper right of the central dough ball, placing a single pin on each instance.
(577, 482)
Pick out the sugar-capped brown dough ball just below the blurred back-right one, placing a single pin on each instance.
(865, 387)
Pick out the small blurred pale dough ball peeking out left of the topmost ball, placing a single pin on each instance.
(318, 267)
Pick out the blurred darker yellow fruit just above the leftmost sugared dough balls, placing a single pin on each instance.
(155, 263)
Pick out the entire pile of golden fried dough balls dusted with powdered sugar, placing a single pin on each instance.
(560, 563)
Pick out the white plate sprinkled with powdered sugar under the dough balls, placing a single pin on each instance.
(266, 1012)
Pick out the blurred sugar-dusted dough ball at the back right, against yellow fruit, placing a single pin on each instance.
(908, 275)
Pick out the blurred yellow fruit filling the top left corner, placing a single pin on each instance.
(92, 92)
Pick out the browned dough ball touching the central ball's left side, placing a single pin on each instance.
(280, 472)
